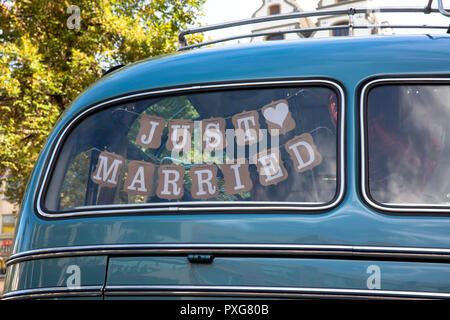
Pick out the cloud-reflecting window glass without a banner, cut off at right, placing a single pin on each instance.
(408, 144)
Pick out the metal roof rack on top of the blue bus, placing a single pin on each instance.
(183, 44)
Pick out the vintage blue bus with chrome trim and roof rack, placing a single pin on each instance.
(281, 169)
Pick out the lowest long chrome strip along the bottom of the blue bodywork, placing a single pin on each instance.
(236, 291)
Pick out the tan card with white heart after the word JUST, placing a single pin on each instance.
(278, 117)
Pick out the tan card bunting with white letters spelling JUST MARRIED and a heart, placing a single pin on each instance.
(169, 183)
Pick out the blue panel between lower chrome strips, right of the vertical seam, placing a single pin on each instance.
(306, 273)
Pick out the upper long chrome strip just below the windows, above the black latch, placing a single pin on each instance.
(233, 249)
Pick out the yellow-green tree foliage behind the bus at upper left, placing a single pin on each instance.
(45, 62)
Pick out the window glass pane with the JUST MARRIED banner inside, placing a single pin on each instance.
(264, 146)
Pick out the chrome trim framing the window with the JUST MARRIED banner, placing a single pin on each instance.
(199, 206)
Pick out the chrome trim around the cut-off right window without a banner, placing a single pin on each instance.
(429, 208)
